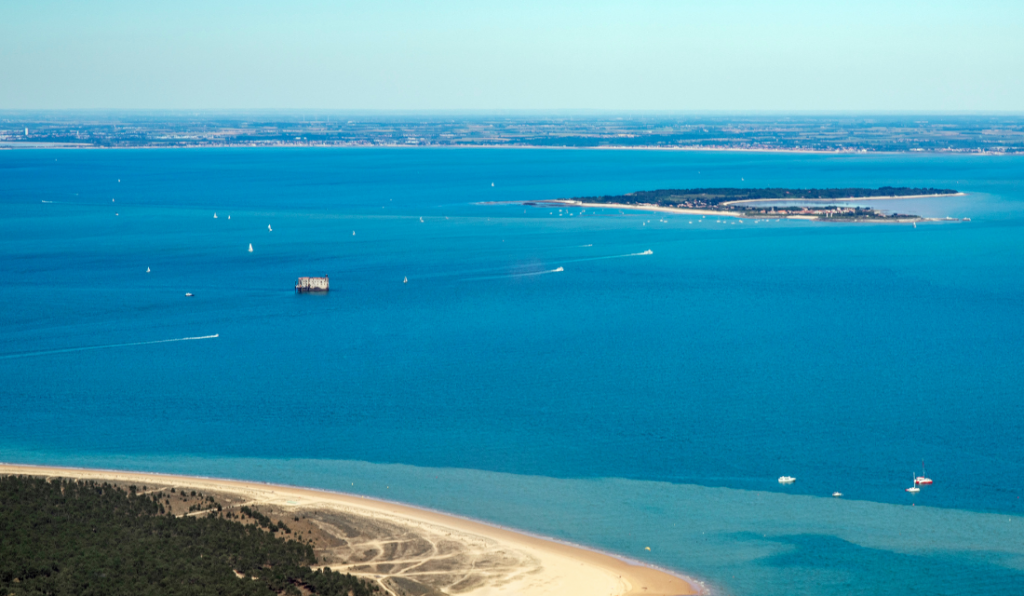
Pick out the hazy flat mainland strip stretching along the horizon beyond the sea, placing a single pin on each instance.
(969, 135)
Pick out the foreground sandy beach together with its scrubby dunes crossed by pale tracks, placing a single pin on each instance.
(417, 550)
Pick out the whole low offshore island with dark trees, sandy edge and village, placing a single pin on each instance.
(765, 203)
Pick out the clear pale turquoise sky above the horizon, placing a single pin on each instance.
(728, 56)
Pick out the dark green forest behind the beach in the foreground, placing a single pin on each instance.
(82, 538)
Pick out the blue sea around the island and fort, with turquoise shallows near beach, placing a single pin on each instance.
(539, 371)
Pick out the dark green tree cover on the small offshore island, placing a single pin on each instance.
(716, 197)
